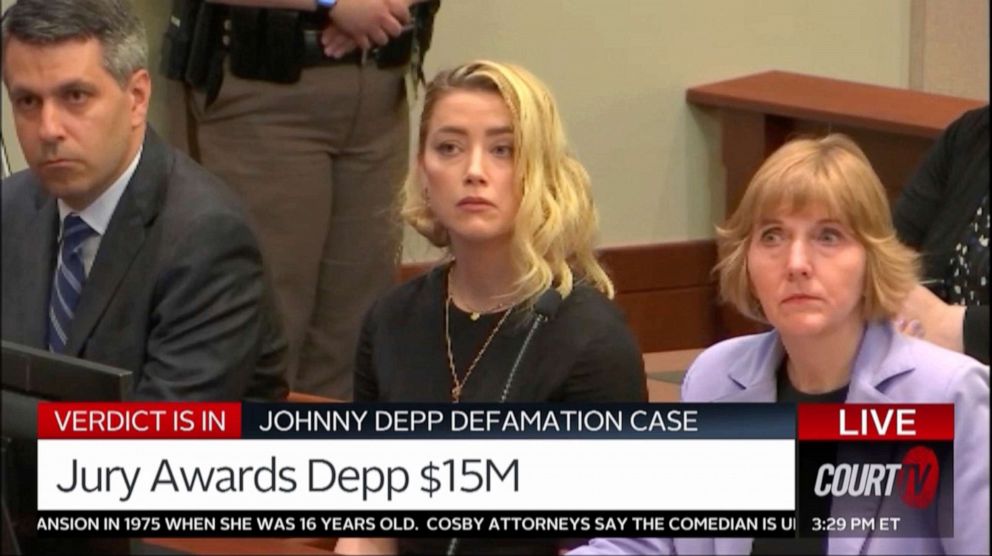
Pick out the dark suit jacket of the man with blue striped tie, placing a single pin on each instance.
(177, 292)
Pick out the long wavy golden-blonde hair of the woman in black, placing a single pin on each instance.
(556, 223)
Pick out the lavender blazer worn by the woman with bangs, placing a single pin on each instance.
(889, 367)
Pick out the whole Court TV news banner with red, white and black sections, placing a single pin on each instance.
(735, 470)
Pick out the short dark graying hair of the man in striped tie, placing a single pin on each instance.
(112, 22)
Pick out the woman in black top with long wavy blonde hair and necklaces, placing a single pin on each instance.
(494, 184)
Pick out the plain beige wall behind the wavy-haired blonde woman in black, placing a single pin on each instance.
(620, 69)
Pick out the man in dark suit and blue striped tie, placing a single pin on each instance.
(117, 248)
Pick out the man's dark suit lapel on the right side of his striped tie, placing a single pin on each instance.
(124, 239)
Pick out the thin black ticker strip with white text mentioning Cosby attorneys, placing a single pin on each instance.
(418, 524)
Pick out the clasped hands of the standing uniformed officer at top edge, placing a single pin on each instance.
(370, 22)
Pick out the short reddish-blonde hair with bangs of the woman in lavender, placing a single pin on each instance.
(834, 173)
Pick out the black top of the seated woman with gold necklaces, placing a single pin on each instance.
(586, 353)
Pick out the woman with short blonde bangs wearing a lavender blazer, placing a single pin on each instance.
(812, 251)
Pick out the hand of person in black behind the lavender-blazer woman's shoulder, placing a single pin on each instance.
(924, 315)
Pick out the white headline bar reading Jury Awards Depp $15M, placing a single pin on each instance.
(365, 475)
